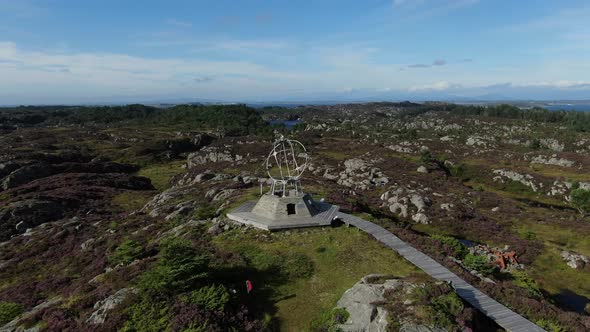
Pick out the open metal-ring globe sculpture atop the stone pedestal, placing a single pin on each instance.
(285, 164)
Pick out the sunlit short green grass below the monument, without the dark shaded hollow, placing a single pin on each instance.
(341, 256)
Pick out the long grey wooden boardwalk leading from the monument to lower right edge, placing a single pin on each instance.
(503, 316)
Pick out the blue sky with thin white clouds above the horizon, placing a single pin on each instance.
(66, 52)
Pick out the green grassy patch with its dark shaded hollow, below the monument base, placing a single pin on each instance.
(323, 264)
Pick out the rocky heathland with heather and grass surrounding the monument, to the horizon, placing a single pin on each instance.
(114, 218)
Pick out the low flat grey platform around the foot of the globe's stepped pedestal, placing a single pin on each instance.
(244, 215)
